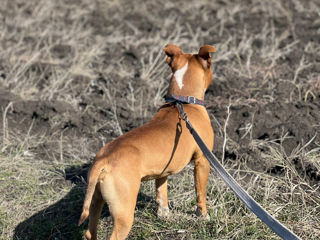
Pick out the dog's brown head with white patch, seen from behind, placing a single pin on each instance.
(191, 73)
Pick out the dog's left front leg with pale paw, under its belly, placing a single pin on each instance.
(162, 196)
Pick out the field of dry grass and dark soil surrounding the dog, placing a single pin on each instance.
(77, 74)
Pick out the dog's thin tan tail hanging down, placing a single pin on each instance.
(94, 174)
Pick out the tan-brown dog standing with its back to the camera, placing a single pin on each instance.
(156, 150)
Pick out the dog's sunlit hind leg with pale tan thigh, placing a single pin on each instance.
(120, 191)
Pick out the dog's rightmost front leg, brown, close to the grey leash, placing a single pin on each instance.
(201, 174)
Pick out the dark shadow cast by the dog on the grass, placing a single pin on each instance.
(59, 221)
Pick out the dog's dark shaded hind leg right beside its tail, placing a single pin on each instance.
(95, 212)
